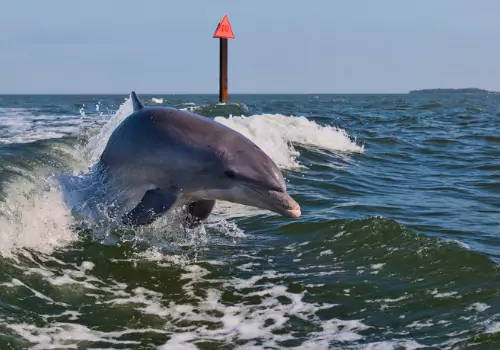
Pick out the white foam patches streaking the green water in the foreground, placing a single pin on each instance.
(203, 304)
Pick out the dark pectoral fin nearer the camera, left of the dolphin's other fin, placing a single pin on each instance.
(154, 204)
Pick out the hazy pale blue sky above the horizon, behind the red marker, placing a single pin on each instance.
(288, 46)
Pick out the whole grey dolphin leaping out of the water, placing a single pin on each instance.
(161, 157)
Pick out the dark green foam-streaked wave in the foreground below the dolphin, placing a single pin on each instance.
(352, 269)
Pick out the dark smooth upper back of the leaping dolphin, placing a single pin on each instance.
(154, 129)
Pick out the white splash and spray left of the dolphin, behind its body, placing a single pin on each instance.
(35, 213)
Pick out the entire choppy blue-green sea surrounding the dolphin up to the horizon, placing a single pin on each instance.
(397, 247)
